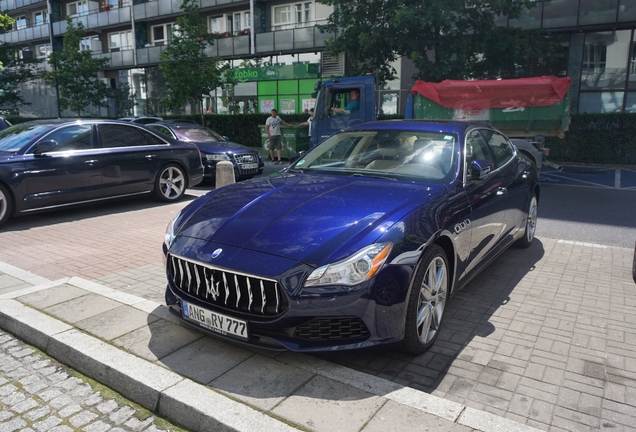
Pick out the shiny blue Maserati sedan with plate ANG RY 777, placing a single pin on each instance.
(360, 242)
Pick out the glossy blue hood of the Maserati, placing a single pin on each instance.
(314, 219)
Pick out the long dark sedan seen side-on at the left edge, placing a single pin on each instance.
(48, 164)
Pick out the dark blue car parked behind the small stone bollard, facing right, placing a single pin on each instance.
(214, 148)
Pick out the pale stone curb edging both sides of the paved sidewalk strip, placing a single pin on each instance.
(186, 402)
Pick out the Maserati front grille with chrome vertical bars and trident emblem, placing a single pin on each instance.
(228, 290)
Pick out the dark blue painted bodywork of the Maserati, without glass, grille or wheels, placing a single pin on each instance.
(278, 228)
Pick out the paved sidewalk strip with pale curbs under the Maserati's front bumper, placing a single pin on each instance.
(135, 347)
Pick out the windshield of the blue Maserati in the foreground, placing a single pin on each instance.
(410, 155)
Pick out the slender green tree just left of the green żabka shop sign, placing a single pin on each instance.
(189, 72)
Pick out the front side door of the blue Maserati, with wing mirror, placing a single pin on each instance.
(487, 196)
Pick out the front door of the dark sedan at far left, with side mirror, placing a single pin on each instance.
(68, 173)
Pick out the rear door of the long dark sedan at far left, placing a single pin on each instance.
(132, 157)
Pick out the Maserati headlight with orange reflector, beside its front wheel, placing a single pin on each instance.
(359, 267)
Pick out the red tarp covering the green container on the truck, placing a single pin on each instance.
(510, 93)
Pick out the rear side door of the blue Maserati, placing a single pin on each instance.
(515, 175)
